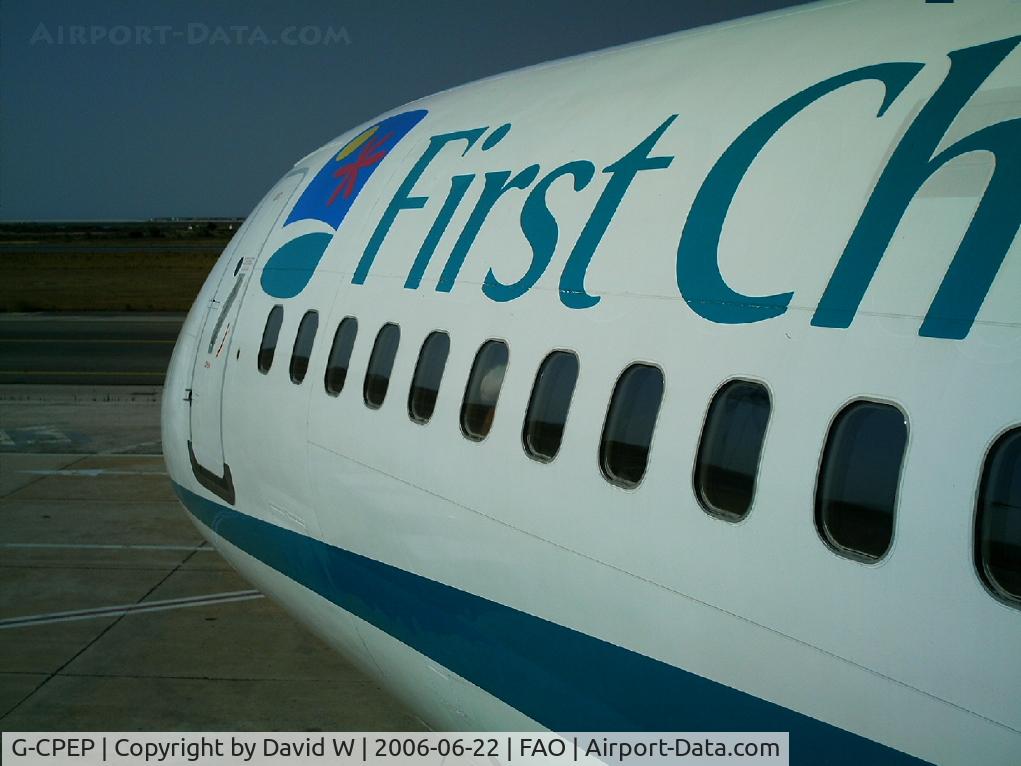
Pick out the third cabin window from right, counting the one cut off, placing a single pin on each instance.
(730, 451)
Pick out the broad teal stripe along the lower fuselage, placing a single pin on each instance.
(564, 680)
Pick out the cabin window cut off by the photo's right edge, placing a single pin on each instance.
(998, 524)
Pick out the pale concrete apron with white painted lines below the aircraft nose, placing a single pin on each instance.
(115, 614)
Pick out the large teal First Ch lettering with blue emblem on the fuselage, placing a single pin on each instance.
(700, 280)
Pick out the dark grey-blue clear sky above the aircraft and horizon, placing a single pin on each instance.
(135, 109)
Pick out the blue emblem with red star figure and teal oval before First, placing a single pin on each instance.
(328, 199)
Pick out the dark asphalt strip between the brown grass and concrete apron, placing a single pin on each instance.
(102, 350)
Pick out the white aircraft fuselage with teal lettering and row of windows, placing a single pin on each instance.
(493, 591)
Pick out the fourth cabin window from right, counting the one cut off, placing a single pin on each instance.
(627, 433)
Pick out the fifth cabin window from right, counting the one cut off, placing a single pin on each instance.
(548, 409)
